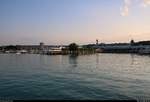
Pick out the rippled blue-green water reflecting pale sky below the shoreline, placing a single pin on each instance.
(93, 77)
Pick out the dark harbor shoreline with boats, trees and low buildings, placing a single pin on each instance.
(141, 47)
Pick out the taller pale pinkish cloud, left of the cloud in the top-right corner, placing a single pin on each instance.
(125, 9)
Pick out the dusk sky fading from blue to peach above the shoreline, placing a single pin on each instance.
(80, 21)
